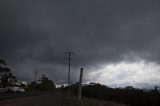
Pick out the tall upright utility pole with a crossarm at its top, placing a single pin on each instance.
(69, 54)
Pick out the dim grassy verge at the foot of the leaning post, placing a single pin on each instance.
(73, 101)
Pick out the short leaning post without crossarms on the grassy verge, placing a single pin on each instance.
(80, 84)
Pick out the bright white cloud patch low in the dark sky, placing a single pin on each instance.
(127, 74)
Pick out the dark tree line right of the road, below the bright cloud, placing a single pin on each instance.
(128, 95)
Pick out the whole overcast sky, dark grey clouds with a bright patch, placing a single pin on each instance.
(116, 41)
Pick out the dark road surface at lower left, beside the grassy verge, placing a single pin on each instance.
(47, 99)
